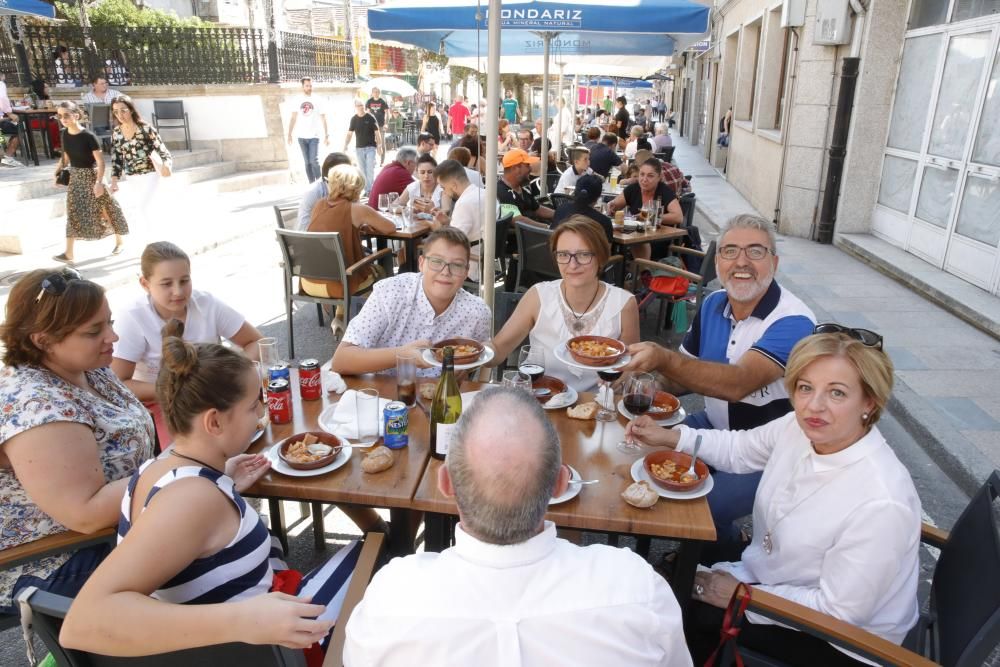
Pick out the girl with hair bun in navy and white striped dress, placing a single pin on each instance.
(186, 536)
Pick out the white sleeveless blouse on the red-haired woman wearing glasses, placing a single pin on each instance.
(552, 328)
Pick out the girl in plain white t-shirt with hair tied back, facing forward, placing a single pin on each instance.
(166, 278)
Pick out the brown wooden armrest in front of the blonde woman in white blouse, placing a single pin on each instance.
(832, 629)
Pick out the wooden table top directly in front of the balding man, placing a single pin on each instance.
(590, 447)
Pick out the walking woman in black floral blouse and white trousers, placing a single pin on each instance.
(138, 153)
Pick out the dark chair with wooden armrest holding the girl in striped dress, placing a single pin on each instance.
(49, 610)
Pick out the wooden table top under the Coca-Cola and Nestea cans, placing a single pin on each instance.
(349, 484)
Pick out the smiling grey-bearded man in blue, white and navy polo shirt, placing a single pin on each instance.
(735, 354)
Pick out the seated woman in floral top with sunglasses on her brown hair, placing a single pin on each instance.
(70, 432)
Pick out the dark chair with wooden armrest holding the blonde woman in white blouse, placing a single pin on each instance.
(962, 625)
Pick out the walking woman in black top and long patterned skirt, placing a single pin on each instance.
(91, 211)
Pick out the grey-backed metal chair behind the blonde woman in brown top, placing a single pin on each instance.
(319, 256)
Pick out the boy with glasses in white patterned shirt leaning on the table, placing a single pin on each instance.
(412, 311)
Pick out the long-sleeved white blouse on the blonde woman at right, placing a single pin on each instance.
(843, 528)
